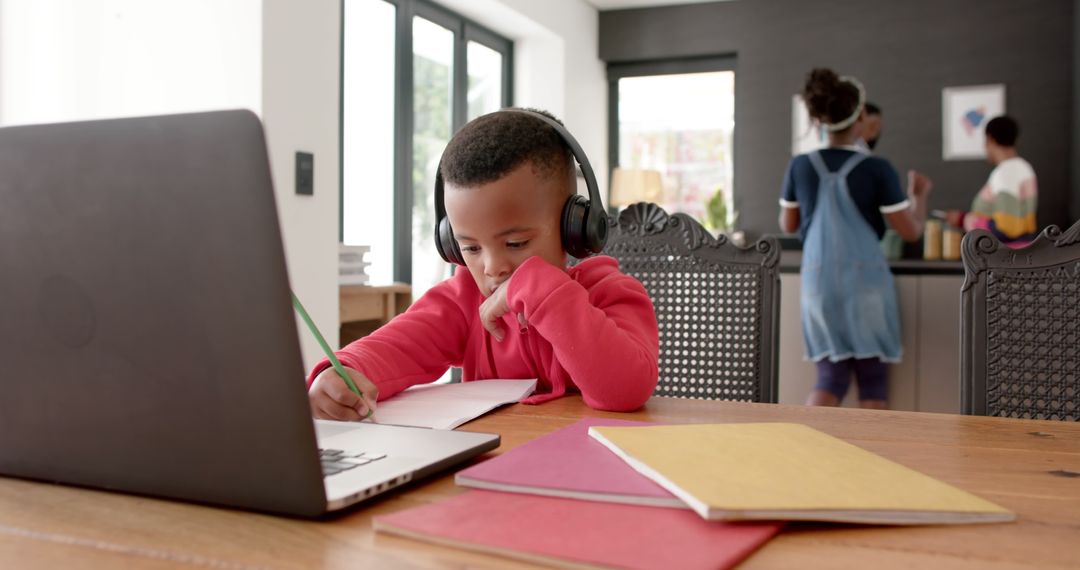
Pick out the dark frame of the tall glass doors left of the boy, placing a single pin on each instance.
(465, 31)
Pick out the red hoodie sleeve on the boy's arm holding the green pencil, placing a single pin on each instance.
(416, 347)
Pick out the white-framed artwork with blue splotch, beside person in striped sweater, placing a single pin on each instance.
(965, 114)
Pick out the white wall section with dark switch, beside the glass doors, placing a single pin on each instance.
(301, 78)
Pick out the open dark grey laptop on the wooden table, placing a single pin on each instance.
(147, 338)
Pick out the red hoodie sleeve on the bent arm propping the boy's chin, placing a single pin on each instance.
(602, 328)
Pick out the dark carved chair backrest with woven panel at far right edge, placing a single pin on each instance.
(1020, 329)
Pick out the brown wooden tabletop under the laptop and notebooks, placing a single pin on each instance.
(1017, 464)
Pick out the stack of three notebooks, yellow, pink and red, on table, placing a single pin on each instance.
(605, 493)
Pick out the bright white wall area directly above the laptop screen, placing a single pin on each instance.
(82, 60)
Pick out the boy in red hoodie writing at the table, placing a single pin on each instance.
(518, 313)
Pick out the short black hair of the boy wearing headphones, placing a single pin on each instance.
(492, 146)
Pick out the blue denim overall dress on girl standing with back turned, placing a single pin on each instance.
(848, 297)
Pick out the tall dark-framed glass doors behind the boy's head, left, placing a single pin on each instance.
(413, 74)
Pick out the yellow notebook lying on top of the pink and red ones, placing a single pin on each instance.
(791, 472)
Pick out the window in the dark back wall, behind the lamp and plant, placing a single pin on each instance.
(679, 118)
